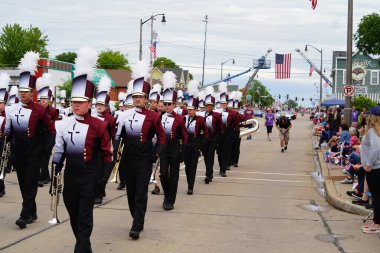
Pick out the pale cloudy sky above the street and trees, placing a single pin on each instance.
(242, 30)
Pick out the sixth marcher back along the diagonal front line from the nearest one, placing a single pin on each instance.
(230, 124)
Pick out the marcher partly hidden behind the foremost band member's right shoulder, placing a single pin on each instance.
(103, 113)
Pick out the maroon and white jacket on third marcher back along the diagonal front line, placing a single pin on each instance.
(174, 128)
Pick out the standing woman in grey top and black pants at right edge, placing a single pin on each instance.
(371, 161)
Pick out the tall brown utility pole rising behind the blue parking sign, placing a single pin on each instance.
(348, 102)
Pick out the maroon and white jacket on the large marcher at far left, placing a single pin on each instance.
(23, 120)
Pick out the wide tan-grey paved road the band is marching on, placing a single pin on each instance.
(270, 203)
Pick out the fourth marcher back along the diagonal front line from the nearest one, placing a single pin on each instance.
(195, 127)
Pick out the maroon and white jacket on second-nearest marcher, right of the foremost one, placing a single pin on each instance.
(137, 128)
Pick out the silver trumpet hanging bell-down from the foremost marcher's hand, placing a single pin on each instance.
(55, 192)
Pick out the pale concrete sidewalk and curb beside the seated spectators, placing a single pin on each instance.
(336, 191)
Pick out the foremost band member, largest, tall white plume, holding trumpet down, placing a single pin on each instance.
(84, 140)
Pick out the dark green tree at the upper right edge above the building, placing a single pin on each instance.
(367, 37)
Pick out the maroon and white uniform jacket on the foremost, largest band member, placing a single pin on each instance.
(82, 140)
